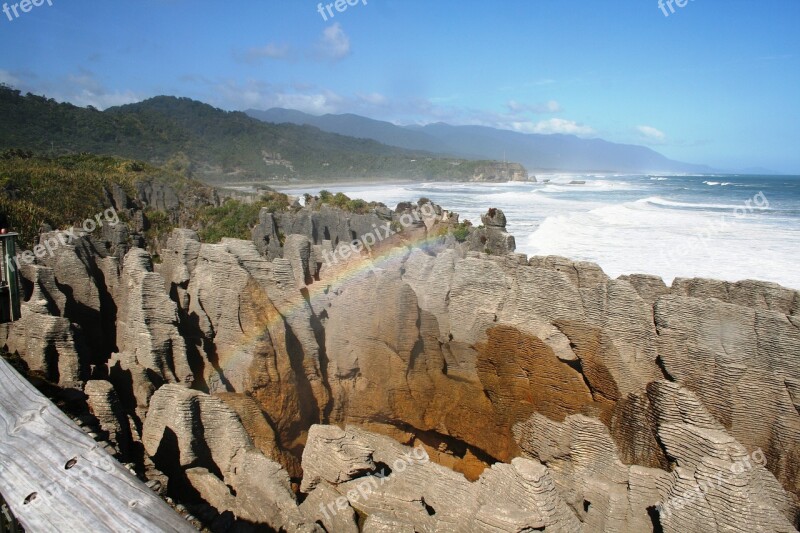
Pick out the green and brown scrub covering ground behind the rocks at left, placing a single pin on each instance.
(64, 191)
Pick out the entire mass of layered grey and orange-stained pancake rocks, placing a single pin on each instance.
(543, 393)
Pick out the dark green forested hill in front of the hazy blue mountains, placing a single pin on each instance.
(210, 144)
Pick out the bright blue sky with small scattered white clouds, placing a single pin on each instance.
(715, 82)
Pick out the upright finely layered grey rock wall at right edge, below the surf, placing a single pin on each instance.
(737, 360)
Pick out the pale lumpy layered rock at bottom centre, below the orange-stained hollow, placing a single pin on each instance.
(399, 487)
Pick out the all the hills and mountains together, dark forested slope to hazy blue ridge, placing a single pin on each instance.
(282, 144)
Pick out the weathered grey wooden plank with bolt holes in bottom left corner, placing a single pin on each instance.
(54, 477)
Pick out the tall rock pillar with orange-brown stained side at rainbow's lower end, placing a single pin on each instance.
(257, 334)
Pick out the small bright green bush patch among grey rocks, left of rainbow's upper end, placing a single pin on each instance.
(236, 219)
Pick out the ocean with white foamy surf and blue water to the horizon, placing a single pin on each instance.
(729, 227)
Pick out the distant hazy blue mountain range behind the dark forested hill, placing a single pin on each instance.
(537, 152)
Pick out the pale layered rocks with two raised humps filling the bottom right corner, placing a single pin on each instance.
(714, 474)
